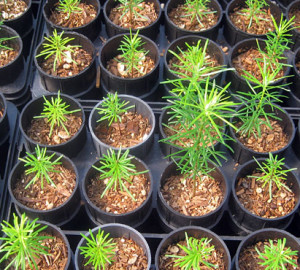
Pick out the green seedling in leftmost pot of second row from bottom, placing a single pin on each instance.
(40, 164)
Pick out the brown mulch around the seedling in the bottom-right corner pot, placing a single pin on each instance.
(249, 259)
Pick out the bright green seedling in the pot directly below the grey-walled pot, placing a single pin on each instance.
(118, 169)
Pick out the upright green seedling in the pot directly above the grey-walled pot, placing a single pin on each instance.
(132, 52)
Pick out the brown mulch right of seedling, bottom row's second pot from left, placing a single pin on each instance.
(129, 256)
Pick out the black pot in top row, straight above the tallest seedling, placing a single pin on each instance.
(173, 31)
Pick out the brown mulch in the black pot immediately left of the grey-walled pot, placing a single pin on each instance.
(40, 128)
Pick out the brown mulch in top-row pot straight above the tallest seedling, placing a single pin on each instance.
(181, 17)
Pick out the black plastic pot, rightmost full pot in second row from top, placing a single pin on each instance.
(238, 83)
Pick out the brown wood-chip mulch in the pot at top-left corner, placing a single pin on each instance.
(12, 9)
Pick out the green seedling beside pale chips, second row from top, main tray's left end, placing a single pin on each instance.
(59, 47)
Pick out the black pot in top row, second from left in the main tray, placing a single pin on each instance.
(112, 29)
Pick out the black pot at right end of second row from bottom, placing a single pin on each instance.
(247, 221)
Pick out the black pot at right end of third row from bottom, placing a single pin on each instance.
(242, 154)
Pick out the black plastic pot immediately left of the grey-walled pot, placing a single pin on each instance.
(34, 108)
